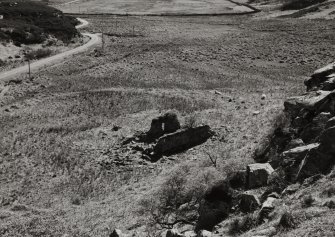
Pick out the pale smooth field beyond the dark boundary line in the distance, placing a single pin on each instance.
(149, 7)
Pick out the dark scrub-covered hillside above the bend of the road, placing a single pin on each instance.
(27, 22)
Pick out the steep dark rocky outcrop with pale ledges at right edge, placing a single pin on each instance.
(311, 120)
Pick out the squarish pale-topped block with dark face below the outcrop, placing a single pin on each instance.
(257, 174)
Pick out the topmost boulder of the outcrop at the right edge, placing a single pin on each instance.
(320, 76)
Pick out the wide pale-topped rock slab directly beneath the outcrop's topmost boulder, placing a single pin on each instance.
(315, 101)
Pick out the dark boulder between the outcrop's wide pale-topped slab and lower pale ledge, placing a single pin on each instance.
(312, 131)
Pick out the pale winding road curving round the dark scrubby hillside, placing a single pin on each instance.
(58, 58)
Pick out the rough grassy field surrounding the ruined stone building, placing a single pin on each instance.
(59, 151)
